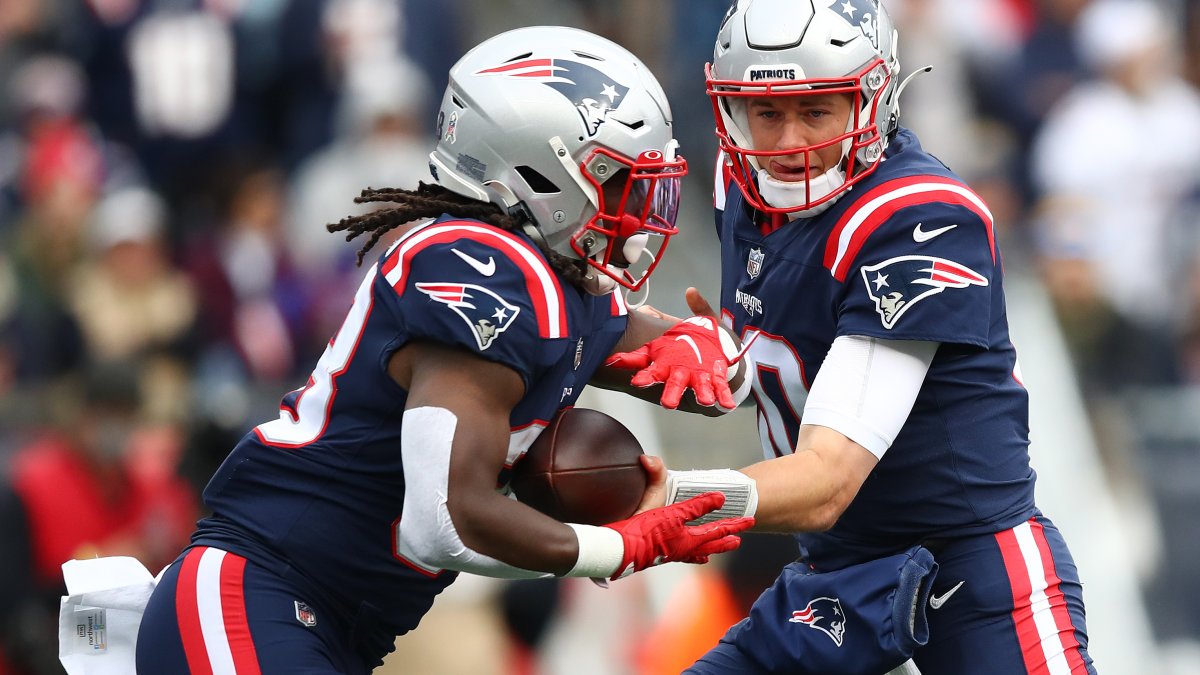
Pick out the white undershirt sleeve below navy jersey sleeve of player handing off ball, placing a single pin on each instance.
(867, 389)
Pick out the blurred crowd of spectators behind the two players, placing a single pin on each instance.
(167, 169)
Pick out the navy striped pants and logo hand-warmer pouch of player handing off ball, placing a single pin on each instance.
(999, 605)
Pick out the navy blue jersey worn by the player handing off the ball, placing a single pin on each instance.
(909, 254)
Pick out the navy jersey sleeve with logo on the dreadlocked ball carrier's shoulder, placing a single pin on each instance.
(481, 290)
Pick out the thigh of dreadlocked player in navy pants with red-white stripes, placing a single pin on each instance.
(217, 610)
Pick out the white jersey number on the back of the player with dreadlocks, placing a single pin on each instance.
(307, 421)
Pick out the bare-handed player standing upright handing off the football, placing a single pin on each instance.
(867, 279)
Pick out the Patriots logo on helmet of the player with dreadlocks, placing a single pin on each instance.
(592, 92)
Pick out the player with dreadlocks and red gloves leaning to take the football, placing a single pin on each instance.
(337, 525)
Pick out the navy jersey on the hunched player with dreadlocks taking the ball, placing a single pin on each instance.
(316, 495)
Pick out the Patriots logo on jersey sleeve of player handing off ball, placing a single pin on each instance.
(899, 284)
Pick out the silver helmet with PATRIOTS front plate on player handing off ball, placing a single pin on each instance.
(815, 47)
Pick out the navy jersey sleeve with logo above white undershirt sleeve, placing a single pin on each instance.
(923, 273)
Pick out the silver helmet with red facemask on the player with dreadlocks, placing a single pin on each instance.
(573, 132)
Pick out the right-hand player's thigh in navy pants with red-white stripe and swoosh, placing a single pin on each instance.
(1007, 604)
